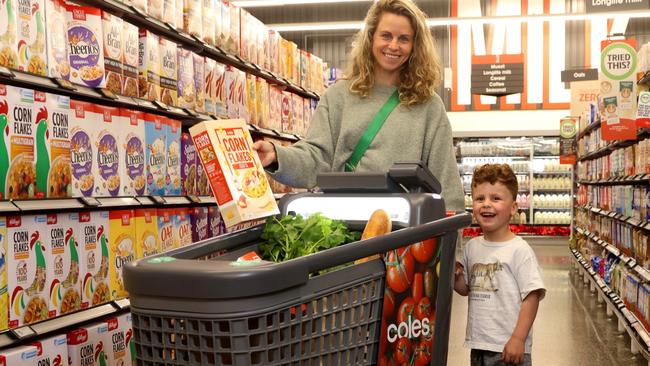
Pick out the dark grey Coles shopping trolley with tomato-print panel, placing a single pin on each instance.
(200, 305)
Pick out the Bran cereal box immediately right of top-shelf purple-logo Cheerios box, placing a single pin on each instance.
(113, 29)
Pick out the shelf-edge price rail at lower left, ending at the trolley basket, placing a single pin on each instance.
(28, 333)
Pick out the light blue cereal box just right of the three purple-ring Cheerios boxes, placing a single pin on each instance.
(155, 135)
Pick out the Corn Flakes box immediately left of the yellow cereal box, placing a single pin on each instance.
(93, 235)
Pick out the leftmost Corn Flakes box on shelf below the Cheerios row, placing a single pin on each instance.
(27, 258)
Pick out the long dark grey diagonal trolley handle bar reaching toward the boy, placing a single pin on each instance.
(378, 245)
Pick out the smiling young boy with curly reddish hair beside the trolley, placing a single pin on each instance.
(504, 281)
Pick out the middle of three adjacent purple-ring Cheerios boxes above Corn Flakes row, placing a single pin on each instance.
(107, 175)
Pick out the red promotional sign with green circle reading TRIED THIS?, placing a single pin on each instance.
(618, 64)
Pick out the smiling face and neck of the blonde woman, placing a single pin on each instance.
(392, 44)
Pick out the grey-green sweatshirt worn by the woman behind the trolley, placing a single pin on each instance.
(417, 133)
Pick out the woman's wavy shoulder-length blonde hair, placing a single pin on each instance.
(419, 74)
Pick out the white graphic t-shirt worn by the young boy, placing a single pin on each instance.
(500, 275)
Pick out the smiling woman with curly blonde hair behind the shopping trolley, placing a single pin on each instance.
(394, 51)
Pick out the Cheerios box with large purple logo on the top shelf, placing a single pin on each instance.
(85, 45)
